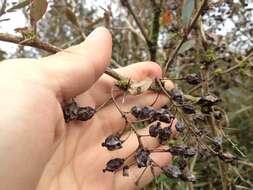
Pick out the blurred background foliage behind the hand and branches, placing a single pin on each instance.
(222, 37)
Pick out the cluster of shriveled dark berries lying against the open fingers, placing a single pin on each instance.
(141, 156)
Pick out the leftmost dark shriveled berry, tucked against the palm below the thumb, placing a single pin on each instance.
(70, 111)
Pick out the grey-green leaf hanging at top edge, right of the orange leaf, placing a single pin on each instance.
(187, 10)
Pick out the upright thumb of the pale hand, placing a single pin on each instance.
(76, 69)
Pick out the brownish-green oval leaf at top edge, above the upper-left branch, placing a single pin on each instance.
(38, 9)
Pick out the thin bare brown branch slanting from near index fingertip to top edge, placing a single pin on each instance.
(185, 36)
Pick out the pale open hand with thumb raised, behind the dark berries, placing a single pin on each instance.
(39, 150)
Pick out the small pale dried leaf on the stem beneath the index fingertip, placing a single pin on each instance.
(140, 87)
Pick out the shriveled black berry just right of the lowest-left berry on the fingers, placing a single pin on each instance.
(142, 157)
